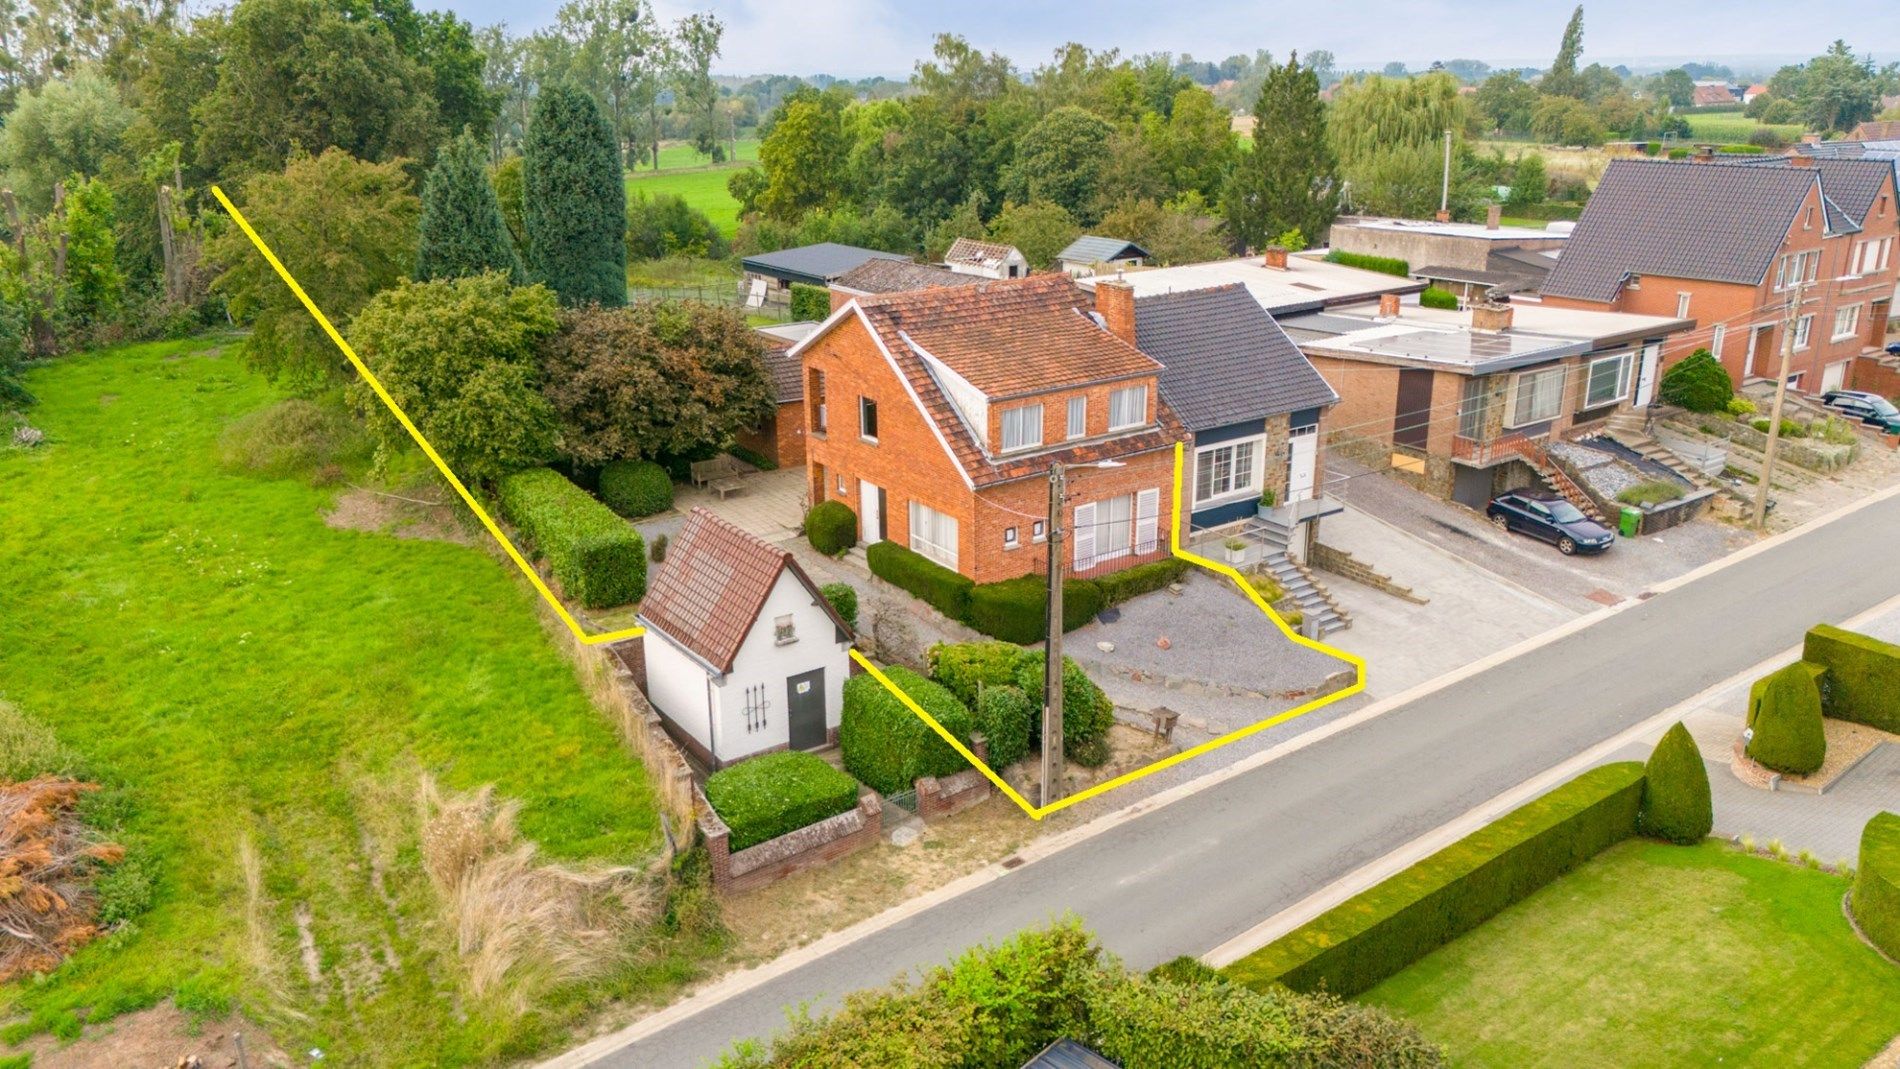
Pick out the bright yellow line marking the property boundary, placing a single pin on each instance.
(580, 633)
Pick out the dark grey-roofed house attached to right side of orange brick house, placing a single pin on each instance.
(1249, 400)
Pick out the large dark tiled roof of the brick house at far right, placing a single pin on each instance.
(1688, 221)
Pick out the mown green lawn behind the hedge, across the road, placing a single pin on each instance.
(1660, 956)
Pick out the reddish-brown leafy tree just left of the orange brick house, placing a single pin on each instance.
(656, 379)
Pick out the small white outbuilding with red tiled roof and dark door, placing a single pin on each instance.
(744, 654)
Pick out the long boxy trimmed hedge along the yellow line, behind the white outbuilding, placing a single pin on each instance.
(598, 559)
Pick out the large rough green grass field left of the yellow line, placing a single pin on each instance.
(254, 675)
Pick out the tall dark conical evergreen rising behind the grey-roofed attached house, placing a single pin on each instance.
(1289, 179)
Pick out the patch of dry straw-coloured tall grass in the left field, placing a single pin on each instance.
(522, 926)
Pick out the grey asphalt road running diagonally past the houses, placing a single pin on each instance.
(1198, 872)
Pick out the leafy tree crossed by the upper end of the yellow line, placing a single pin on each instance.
(345, 229)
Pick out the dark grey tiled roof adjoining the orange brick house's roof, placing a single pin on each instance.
(1226, 360)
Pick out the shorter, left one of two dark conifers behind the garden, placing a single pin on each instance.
(463, 227)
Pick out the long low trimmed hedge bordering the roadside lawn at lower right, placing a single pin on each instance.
(1378, 933)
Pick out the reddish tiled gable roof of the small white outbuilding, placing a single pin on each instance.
(713, 584)
